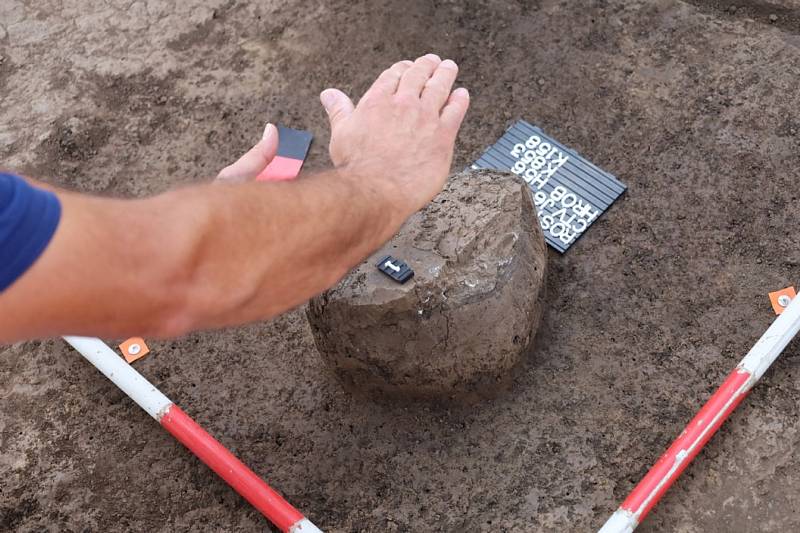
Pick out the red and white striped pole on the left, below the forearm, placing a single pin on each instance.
(190, 434)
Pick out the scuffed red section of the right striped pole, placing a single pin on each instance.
(686, 447)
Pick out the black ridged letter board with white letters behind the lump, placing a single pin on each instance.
(569, 191)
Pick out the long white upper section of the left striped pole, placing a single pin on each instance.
(122, 374)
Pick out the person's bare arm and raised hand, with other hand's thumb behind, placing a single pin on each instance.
(217, 255)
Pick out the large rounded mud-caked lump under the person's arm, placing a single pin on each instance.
(468, 315)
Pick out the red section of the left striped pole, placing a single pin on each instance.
(232, 470)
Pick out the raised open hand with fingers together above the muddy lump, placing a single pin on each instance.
(400, 136)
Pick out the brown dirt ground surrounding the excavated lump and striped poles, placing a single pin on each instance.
(693, 105)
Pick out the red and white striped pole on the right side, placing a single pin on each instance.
(707, 421)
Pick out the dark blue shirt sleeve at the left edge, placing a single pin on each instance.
(29, 217)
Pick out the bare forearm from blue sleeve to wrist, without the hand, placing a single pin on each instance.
(196, 258)
